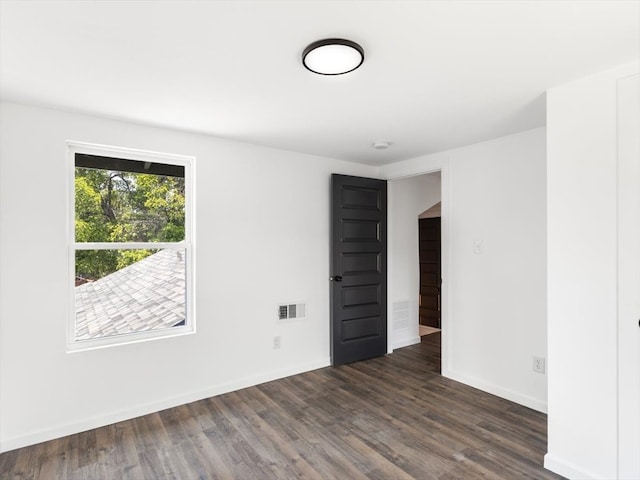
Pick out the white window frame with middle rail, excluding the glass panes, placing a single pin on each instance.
(188, 245)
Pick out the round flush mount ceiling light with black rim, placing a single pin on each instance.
(333, 56)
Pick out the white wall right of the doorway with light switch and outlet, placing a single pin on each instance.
(494, 303)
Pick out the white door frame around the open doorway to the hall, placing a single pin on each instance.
(437, 163)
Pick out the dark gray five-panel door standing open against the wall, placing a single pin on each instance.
(358, 268)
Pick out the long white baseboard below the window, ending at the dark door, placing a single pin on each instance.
(147, 408)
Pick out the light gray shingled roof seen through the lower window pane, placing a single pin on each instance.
(147, 295)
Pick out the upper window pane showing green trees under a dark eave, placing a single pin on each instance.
(127, 206)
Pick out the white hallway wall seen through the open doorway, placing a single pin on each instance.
(409, 197)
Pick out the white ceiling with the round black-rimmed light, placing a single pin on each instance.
(437, 74)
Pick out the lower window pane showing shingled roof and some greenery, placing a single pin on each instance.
(132, 291)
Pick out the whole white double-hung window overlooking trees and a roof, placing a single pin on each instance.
(131, 245)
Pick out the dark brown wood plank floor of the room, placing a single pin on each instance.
(393, 417)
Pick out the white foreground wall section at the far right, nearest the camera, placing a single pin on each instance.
(582, 276)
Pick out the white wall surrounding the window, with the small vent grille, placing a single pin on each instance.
(262, 226)
